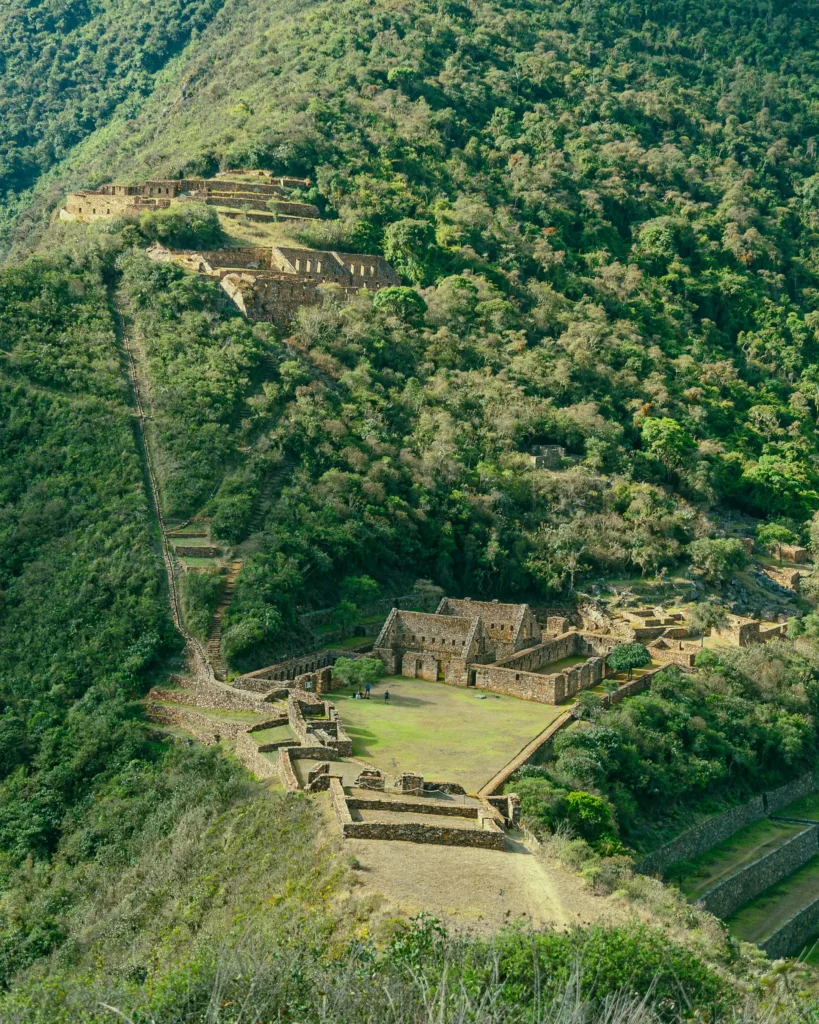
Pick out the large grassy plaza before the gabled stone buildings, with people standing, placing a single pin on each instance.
(447, 734)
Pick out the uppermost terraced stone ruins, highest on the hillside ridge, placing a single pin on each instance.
(229, 192)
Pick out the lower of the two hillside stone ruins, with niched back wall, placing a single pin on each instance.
(272, 284)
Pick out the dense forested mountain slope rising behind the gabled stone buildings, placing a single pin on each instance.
(610, 214)
